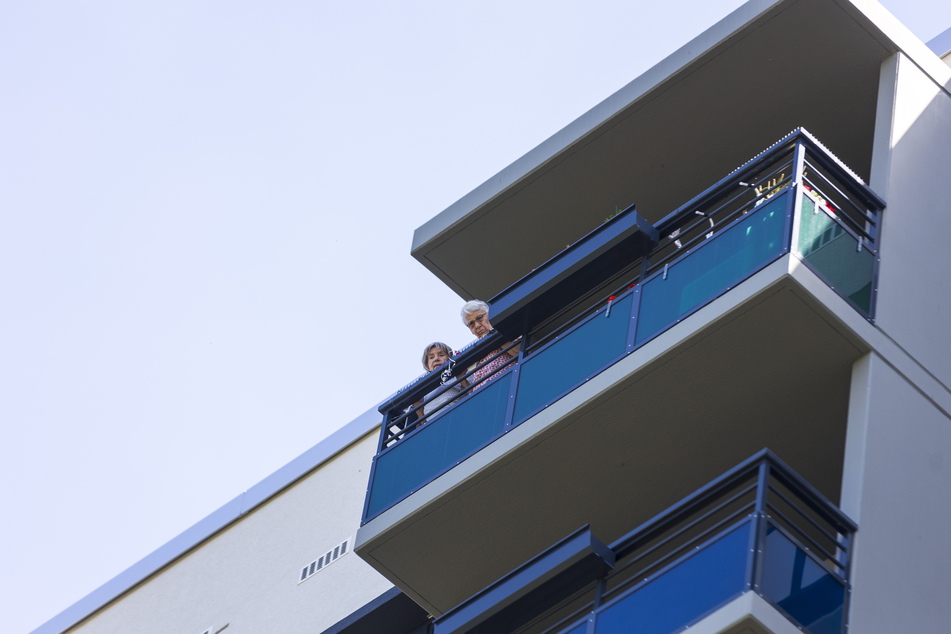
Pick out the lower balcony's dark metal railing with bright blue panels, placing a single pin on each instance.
(759, 527)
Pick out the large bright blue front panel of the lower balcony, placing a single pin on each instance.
(684, 594)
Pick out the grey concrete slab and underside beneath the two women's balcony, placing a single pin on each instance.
(625, 446)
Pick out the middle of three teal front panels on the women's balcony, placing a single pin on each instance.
(577, 355)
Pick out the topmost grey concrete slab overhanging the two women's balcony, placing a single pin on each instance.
(670, 134)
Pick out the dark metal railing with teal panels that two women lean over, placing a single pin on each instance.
(794, 197)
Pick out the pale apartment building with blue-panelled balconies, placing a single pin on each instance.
(726, 406)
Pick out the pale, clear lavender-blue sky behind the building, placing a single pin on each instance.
(206, 212)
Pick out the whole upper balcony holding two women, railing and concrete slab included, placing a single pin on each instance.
(651, 359)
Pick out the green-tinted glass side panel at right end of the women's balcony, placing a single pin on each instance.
(833, 253)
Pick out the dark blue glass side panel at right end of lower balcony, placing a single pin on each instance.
(804, 589)
